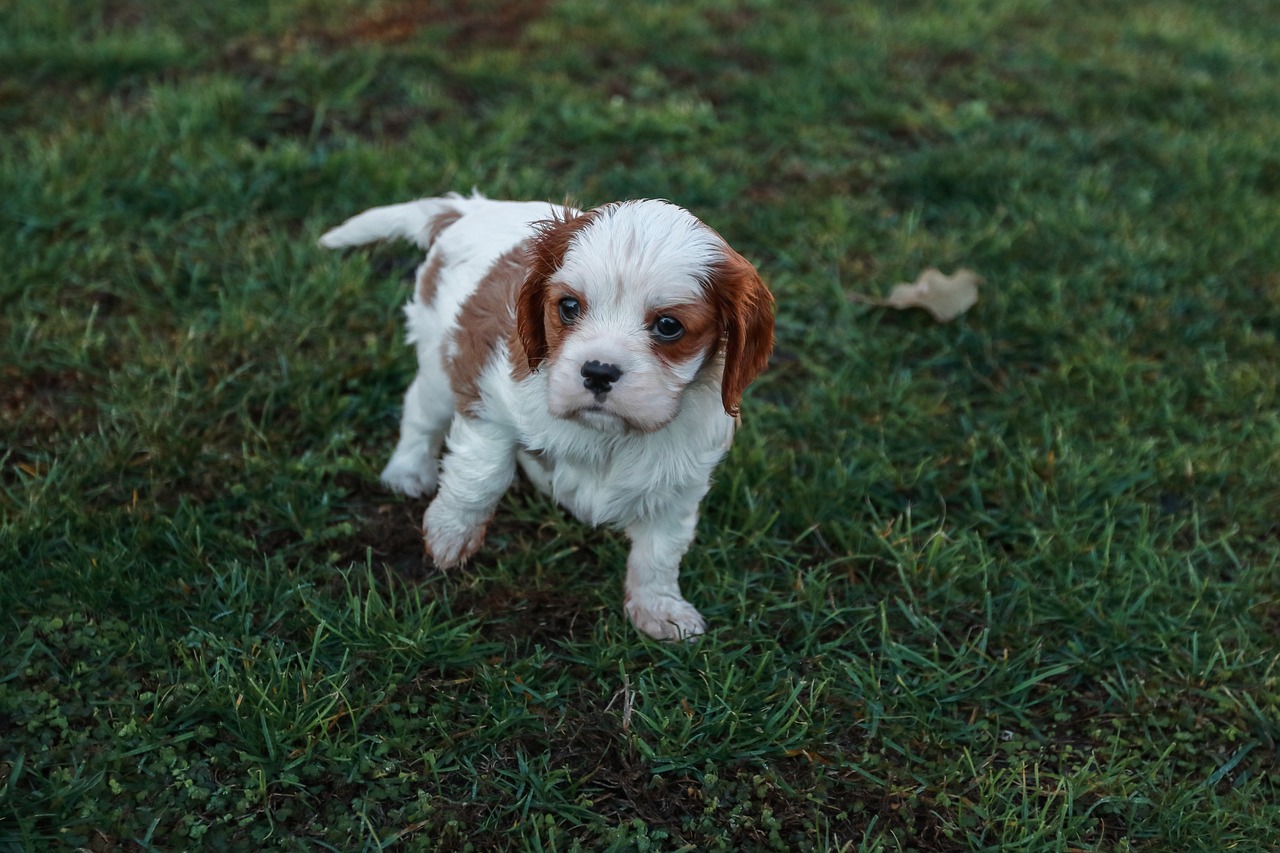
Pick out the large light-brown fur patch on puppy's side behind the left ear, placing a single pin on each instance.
(487, 320)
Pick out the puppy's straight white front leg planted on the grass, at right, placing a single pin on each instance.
(653, 601)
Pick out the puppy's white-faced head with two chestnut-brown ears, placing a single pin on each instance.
(628, 305)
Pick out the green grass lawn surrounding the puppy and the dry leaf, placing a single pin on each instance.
(1004, 585)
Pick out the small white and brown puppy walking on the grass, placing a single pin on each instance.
(605, 353)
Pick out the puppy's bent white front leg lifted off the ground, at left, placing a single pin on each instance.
(477, 469)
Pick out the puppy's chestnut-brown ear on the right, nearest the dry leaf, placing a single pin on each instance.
(747, 314)
